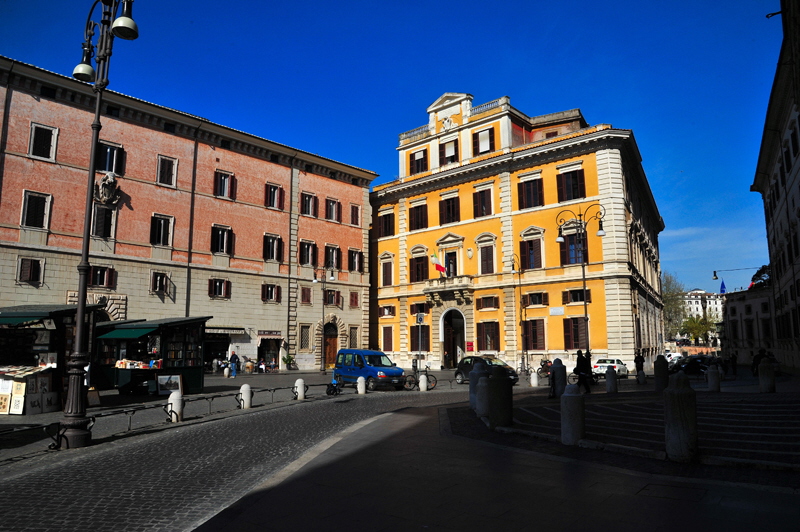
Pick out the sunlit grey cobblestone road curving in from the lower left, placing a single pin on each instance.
(174, 479)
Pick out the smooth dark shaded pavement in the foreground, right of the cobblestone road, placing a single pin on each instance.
(442, 469)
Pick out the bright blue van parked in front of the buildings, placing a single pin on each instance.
(376, 368)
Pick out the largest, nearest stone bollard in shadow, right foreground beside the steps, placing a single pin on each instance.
(680, 419)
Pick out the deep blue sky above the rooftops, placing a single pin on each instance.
(343, 79)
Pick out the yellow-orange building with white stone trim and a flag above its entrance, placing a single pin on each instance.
(465, 249)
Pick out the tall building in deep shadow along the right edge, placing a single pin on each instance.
(777, 179)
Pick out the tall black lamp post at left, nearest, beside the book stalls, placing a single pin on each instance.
(77, 431)
